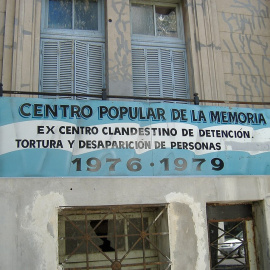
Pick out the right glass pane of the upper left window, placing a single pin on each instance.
(86, 15)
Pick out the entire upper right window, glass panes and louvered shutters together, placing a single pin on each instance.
(158, 50)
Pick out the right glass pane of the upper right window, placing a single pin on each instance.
(166, 21)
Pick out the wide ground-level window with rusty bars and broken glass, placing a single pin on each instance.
(114, 237)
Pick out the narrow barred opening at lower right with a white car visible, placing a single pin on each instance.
(231, 236)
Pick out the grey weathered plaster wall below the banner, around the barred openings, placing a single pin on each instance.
(29, 210)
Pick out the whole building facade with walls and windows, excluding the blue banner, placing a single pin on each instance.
(166, 49)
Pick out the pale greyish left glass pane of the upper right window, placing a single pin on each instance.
(142, 20)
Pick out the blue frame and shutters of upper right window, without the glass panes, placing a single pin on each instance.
(144, 66)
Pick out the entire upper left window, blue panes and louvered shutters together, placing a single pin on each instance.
(72, 47)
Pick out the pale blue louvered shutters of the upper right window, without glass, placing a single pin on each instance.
(159, 72)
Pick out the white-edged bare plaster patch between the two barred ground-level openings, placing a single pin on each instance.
(187, 233)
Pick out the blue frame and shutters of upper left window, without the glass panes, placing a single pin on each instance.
(90, 38)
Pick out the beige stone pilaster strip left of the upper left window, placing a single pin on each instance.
(26, 41)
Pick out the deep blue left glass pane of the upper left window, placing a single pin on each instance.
(60, 14)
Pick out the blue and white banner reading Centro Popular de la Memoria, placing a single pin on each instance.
(44, 137)
